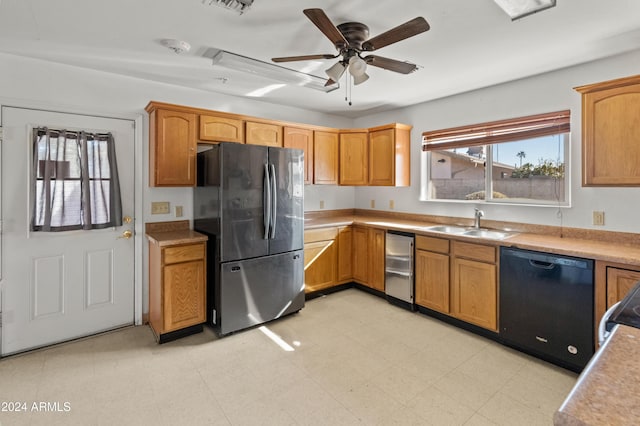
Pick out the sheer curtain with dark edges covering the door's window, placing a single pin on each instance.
(75, 181)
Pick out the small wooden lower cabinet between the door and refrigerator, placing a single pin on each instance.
(177, 288)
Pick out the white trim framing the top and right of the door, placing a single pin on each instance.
(138, 121)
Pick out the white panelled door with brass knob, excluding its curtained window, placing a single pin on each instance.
(58, 286)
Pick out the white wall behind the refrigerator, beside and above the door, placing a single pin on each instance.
(40, 84)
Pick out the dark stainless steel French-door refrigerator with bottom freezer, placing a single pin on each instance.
(249, 201)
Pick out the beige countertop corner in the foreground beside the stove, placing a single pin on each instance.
(608, 390)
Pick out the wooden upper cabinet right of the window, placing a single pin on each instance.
(611, 133)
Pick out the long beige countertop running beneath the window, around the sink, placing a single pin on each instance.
(582, 247)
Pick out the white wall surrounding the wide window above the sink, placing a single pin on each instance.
(544, 93)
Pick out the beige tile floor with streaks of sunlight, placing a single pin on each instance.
(356, 360)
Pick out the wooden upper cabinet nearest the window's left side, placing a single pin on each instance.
(390, 155)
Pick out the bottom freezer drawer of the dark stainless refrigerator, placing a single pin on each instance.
(258, 290)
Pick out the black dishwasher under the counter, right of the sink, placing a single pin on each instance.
(546, 306)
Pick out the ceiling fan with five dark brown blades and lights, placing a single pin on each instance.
(351, 39)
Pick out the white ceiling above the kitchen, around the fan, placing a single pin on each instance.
(471, 43)
